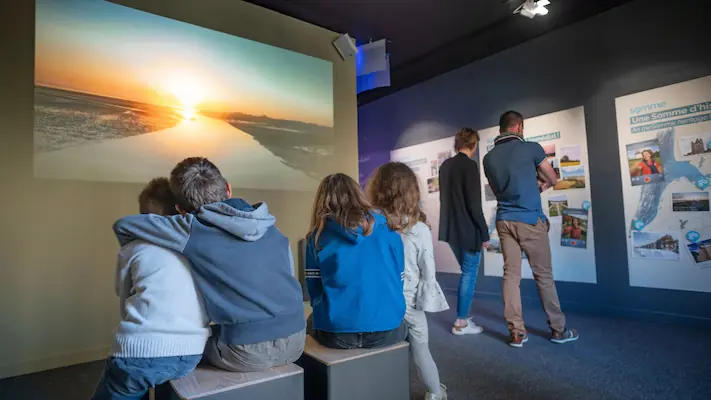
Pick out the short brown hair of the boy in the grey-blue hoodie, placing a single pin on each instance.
(195, 182)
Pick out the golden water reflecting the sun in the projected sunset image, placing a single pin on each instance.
(245, 162)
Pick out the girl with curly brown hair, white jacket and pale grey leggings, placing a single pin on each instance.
(394, 190)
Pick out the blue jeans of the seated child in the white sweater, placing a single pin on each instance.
(130, 378)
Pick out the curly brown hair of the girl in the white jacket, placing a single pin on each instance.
(394, 190)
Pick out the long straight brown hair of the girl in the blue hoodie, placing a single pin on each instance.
(339, 197)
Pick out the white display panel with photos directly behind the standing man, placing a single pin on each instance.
(562, 135)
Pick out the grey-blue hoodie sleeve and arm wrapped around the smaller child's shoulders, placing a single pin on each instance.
(170, 232)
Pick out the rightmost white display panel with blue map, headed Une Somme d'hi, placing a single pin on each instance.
(665, 151)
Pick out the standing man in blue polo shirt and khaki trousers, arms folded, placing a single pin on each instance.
(517, 172)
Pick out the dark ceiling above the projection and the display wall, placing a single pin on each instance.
(430, 37)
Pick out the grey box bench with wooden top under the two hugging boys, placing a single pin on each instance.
(210, 383)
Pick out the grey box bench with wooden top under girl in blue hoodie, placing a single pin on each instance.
(373, 374)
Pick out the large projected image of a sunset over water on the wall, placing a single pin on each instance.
(122, 96)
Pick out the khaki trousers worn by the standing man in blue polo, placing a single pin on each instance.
(533, 241)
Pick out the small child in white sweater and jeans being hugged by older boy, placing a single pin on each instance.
(164, 326)
